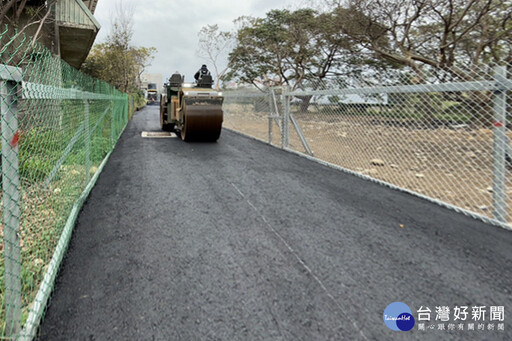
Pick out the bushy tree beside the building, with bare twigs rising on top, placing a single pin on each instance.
(116, 61)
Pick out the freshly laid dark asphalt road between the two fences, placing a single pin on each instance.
(237, 240)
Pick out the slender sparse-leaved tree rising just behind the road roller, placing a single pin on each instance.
(214, 46)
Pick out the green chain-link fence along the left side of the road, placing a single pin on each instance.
(58, 127)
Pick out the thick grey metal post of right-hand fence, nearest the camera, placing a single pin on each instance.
(500, 146)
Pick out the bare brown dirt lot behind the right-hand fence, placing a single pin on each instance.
(449, 164)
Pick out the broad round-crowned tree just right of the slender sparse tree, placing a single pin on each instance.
(288, 48)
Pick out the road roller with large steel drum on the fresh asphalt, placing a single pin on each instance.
(192, 111)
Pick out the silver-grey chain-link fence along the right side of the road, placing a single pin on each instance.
(442, 136)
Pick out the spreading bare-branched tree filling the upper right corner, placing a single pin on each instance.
(441, 34)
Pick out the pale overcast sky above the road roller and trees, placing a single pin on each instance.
(172, 26)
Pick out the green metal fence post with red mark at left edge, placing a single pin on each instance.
(11, 205)
